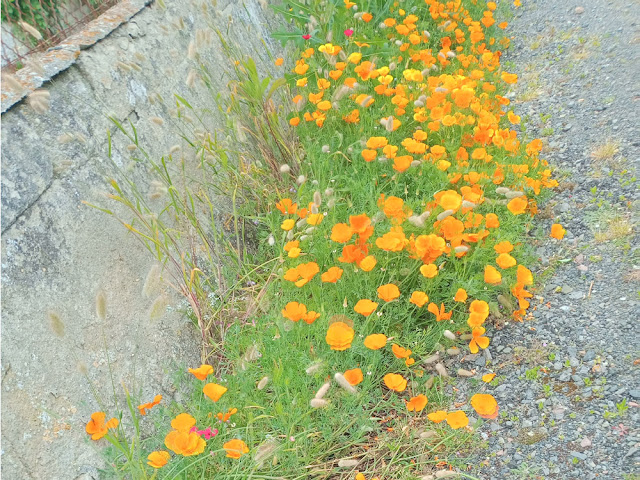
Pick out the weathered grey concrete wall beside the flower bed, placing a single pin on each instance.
(58, 253)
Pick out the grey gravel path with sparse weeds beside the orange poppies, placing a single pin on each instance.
(569, 379)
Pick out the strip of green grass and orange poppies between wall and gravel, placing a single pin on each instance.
(390, 219)
